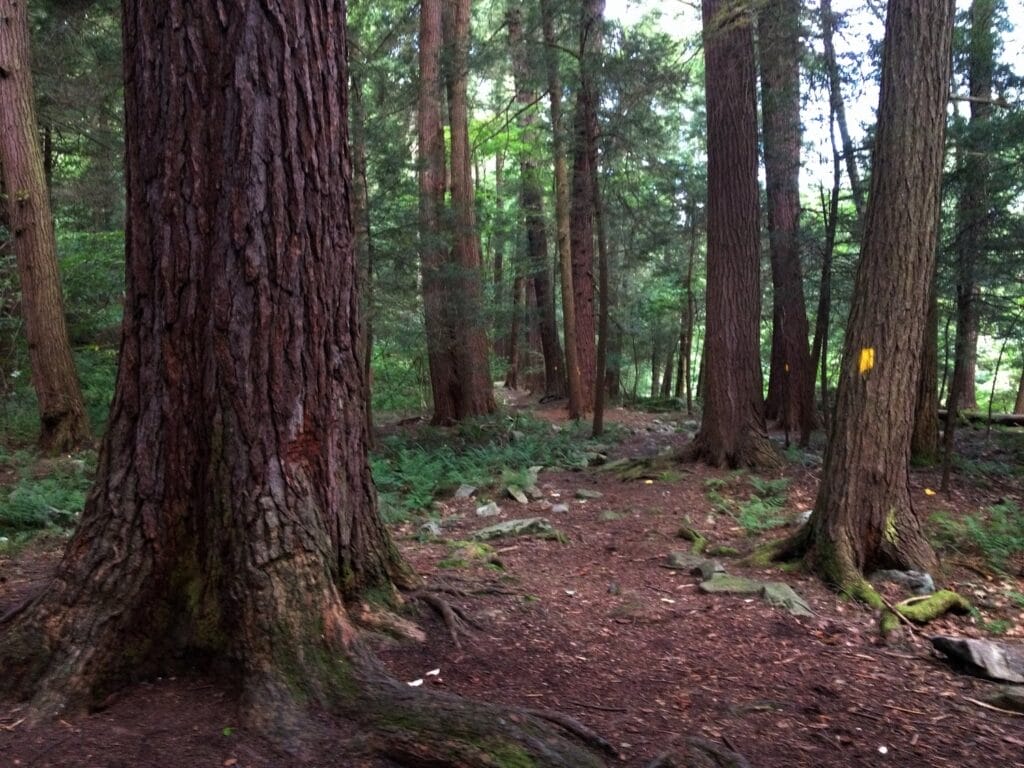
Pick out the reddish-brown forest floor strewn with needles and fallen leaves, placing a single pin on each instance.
(596, 627)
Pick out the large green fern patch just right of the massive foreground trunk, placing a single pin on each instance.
(412, 470)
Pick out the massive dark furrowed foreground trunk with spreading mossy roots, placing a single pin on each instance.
(234, 513)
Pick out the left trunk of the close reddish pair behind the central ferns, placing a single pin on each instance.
(434, 243)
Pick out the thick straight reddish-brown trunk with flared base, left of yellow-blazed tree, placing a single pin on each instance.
(733, 432)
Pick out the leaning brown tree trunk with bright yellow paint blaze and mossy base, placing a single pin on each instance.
(864, 518)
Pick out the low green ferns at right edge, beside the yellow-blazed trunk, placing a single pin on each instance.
(997, 535)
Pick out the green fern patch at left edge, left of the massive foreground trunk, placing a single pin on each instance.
(49, 494)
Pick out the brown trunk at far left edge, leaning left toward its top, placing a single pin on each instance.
(64, 425)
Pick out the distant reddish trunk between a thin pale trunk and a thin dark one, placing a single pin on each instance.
(582, 216)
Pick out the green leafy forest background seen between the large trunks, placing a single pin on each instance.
(651, 169)
